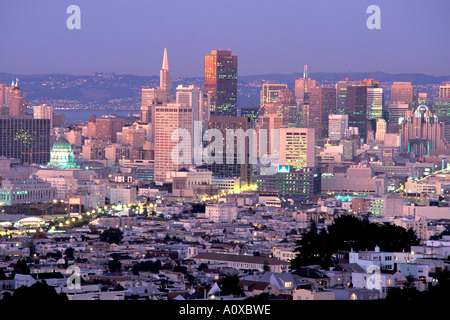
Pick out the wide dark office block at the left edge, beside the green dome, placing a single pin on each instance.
(25, 138)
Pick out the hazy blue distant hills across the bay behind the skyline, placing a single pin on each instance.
(125, 89)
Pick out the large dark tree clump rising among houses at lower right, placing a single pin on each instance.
(348, 233)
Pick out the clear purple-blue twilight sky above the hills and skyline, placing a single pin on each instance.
(268, 36)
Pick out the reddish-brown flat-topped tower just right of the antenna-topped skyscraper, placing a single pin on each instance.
(322, 102)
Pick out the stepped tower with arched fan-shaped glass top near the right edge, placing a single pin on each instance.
(423, 134)
